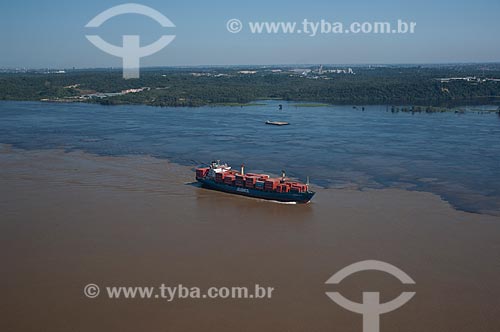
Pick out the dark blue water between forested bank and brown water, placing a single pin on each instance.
(454, 155)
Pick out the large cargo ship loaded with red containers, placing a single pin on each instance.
(221, 177)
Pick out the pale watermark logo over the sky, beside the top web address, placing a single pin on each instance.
(131, 52)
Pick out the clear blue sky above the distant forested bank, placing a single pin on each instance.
(39, 34)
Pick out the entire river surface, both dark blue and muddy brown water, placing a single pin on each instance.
(104, 195)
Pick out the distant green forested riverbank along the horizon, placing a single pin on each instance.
(418, 86)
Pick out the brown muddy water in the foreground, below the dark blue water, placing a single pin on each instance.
(70, 219)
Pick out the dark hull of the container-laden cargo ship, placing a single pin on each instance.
(269, 195)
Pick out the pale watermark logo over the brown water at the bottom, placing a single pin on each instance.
(371, 308)
